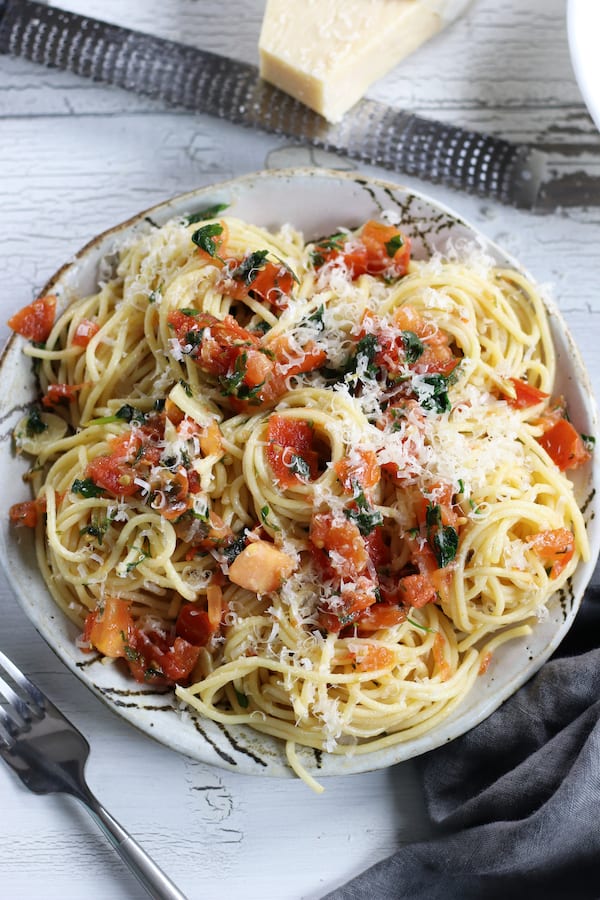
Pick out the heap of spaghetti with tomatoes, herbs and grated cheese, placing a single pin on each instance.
(315, 486)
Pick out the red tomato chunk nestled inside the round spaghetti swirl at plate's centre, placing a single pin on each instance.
(290, 450)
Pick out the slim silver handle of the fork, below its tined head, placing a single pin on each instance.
(158, 885)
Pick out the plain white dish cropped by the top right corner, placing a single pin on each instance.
(583, 25)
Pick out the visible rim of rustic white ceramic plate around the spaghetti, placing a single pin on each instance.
(317, 202)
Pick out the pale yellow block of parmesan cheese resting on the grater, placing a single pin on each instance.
(326, 53)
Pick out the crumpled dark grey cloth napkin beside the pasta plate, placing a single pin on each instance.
(516, 800)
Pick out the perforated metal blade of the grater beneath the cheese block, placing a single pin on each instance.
(198, 80)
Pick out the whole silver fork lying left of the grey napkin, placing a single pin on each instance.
(49, 754)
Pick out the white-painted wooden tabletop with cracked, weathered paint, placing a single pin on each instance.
(76, 158)
